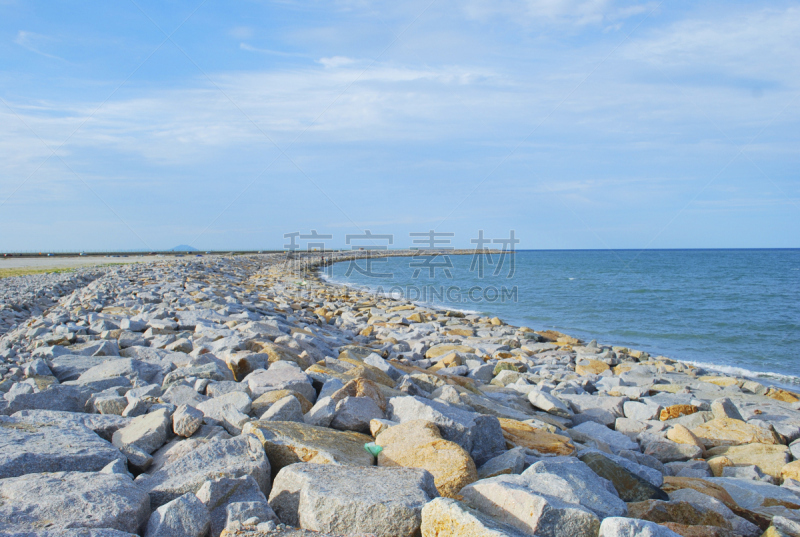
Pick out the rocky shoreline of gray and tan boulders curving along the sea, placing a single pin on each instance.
(243, 396)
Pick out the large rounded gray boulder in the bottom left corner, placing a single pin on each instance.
(62, 500)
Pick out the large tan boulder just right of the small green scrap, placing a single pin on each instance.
(418, 444)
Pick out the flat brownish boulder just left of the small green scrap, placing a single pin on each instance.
(287, 442)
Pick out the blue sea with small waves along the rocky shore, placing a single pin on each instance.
(737, 311)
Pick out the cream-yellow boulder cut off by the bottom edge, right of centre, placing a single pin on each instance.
(445, 517)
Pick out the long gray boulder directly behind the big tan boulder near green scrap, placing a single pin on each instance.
(480, 435)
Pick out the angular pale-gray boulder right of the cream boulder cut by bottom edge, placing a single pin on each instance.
(509, 500)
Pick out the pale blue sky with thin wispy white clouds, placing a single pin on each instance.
(143, 124)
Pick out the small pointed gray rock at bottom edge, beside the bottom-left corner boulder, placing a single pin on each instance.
(185, 516)
